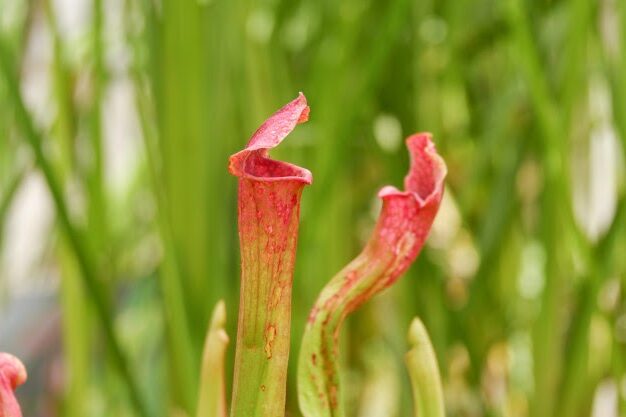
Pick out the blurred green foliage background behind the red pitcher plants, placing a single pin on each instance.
(118, 217)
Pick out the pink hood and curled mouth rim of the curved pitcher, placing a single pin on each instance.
(426, 175)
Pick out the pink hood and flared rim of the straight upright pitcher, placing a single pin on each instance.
(254, 162)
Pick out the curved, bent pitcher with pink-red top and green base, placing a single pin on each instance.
(400, 233)
